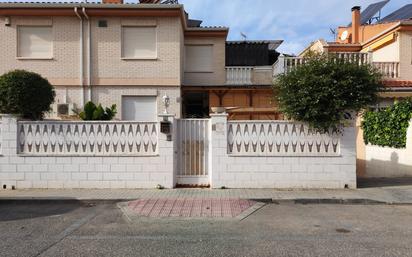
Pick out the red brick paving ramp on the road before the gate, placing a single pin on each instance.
(208, 208)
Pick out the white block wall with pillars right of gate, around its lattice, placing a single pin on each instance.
(280, 172)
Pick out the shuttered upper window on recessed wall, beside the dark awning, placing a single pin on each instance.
(199, 58)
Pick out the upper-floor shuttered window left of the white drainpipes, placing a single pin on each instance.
(34, 42)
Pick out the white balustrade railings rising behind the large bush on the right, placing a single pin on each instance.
(388, 69)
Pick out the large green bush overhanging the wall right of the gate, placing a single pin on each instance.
(323, 90)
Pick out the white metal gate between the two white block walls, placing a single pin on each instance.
(192, 145)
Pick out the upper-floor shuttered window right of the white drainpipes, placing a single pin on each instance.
(139, 43)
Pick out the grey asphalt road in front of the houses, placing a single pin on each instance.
(76, 229)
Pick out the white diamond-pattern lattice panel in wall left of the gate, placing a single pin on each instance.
(90, 138)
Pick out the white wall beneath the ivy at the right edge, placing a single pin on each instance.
(389, 162)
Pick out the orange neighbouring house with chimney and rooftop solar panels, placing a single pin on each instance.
(388, 42)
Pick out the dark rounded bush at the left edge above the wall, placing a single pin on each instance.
(26, 94)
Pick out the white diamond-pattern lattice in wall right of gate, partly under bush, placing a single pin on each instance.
(280, 138)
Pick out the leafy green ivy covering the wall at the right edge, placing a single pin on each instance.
(388, 127)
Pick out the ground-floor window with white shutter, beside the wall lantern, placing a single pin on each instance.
(139, 108)
